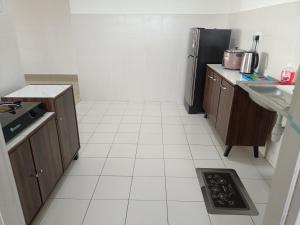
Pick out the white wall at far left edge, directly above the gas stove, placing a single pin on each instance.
(11, 76)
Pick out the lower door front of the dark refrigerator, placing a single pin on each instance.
(190, 79)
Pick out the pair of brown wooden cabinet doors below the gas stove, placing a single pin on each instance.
(37, 167)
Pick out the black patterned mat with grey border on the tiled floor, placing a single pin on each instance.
(224, 192)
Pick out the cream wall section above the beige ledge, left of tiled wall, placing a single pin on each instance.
(44, 36)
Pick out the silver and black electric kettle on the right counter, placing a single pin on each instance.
(249, 62)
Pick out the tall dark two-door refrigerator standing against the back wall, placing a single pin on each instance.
(206, 46)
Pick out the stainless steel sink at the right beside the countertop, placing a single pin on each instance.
(269, 96)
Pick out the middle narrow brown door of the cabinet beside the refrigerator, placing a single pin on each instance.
(215, 95)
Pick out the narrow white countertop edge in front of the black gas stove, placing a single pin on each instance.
(26, 132)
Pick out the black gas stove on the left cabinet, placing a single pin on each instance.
(16, 116)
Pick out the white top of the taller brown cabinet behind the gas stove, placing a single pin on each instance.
(39, 91)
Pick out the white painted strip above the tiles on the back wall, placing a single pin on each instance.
(150, 7)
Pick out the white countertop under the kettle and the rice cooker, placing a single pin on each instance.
(232, 76)
